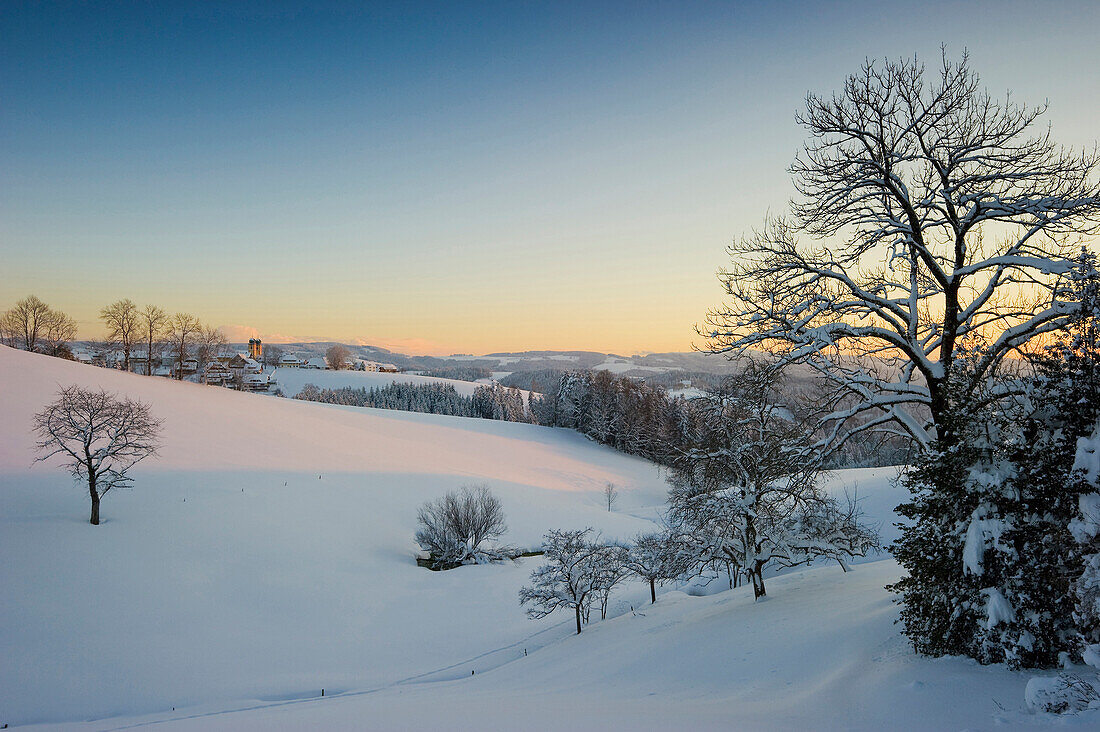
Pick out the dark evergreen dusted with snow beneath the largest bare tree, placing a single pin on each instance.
(989, 555)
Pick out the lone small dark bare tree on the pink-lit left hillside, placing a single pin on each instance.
(100, 435)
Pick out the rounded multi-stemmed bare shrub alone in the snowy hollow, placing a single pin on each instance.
(455, 528)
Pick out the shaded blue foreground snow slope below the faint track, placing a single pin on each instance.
(822, 653)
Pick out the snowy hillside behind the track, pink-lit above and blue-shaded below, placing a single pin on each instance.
(268, 551)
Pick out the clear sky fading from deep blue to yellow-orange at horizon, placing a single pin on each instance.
(445, 178)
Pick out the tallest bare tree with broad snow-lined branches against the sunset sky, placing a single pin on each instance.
(930, 218)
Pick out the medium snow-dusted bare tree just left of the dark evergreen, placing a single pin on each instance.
(747, 489)
